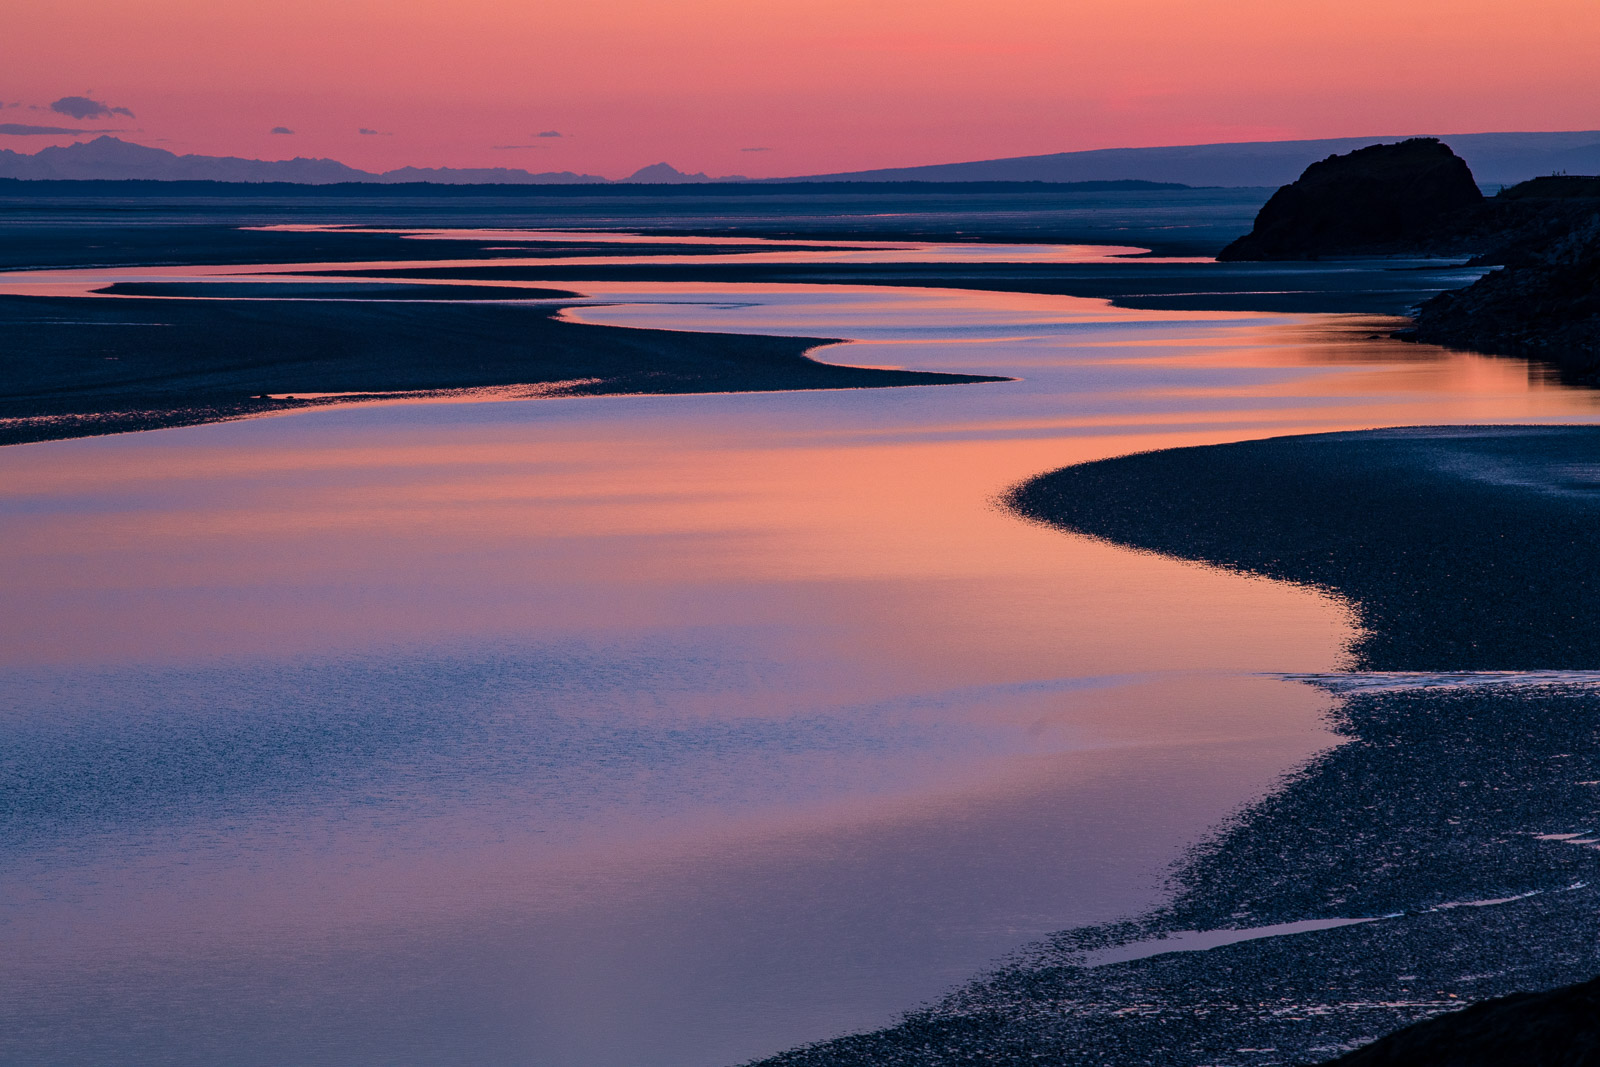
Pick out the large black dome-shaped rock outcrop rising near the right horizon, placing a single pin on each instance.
(1380, 199)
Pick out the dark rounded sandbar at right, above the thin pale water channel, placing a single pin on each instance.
(1462, 548)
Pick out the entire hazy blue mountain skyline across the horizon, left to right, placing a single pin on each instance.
(1497, 159)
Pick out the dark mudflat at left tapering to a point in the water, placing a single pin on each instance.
(76, 367)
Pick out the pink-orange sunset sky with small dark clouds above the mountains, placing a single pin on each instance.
(782, 87)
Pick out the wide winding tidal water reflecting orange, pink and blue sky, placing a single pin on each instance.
(646, 732)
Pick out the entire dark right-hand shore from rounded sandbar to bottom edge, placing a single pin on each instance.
(1441, 857)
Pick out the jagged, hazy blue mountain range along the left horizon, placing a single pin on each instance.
(114, 159)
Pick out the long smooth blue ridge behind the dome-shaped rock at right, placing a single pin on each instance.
(1497, 159)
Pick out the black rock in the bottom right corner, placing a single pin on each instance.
(1554, 1029)
